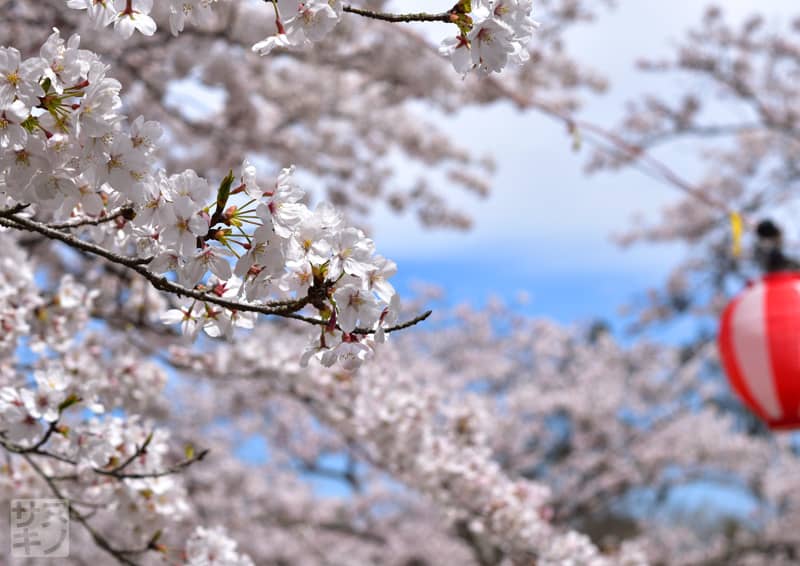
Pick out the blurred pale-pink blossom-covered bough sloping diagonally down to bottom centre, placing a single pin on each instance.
(429, 437)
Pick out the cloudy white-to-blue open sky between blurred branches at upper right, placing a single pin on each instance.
(546, 227)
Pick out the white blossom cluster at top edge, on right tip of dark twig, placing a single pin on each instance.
(492, 34)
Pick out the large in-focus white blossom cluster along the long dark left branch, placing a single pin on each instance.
(66, 155)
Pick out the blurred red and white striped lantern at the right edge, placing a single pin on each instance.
(759, 343)
